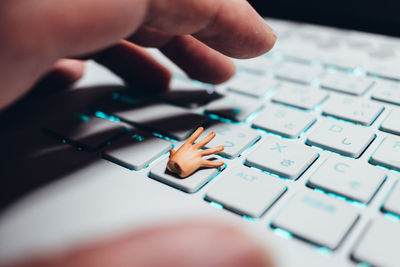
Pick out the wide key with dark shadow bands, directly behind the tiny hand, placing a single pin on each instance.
(172, 121)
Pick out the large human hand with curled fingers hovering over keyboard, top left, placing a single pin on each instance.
(38, 35)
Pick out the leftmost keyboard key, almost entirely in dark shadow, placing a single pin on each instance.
(87, 132)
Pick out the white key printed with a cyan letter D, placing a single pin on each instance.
(344, 138)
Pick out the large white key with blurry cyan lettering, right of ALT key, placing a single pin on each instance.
(318, 218)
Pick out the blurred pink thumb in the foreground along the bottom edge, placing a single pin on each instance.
(186, 245)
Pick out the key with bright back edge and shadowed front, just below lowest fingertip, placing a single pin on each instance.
(191, 94)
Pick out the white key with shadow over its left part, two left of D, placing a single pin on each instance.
(234, 107)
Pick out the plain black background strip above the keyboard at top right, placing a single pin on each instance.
(379, 16)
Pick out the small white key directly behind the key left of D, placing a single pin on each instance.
(300, 96)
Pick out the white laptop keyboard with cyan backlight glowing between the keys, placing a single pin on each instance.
(313, 125)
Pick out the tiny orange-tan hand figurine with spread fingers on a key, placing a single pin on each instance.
(189, 158)
